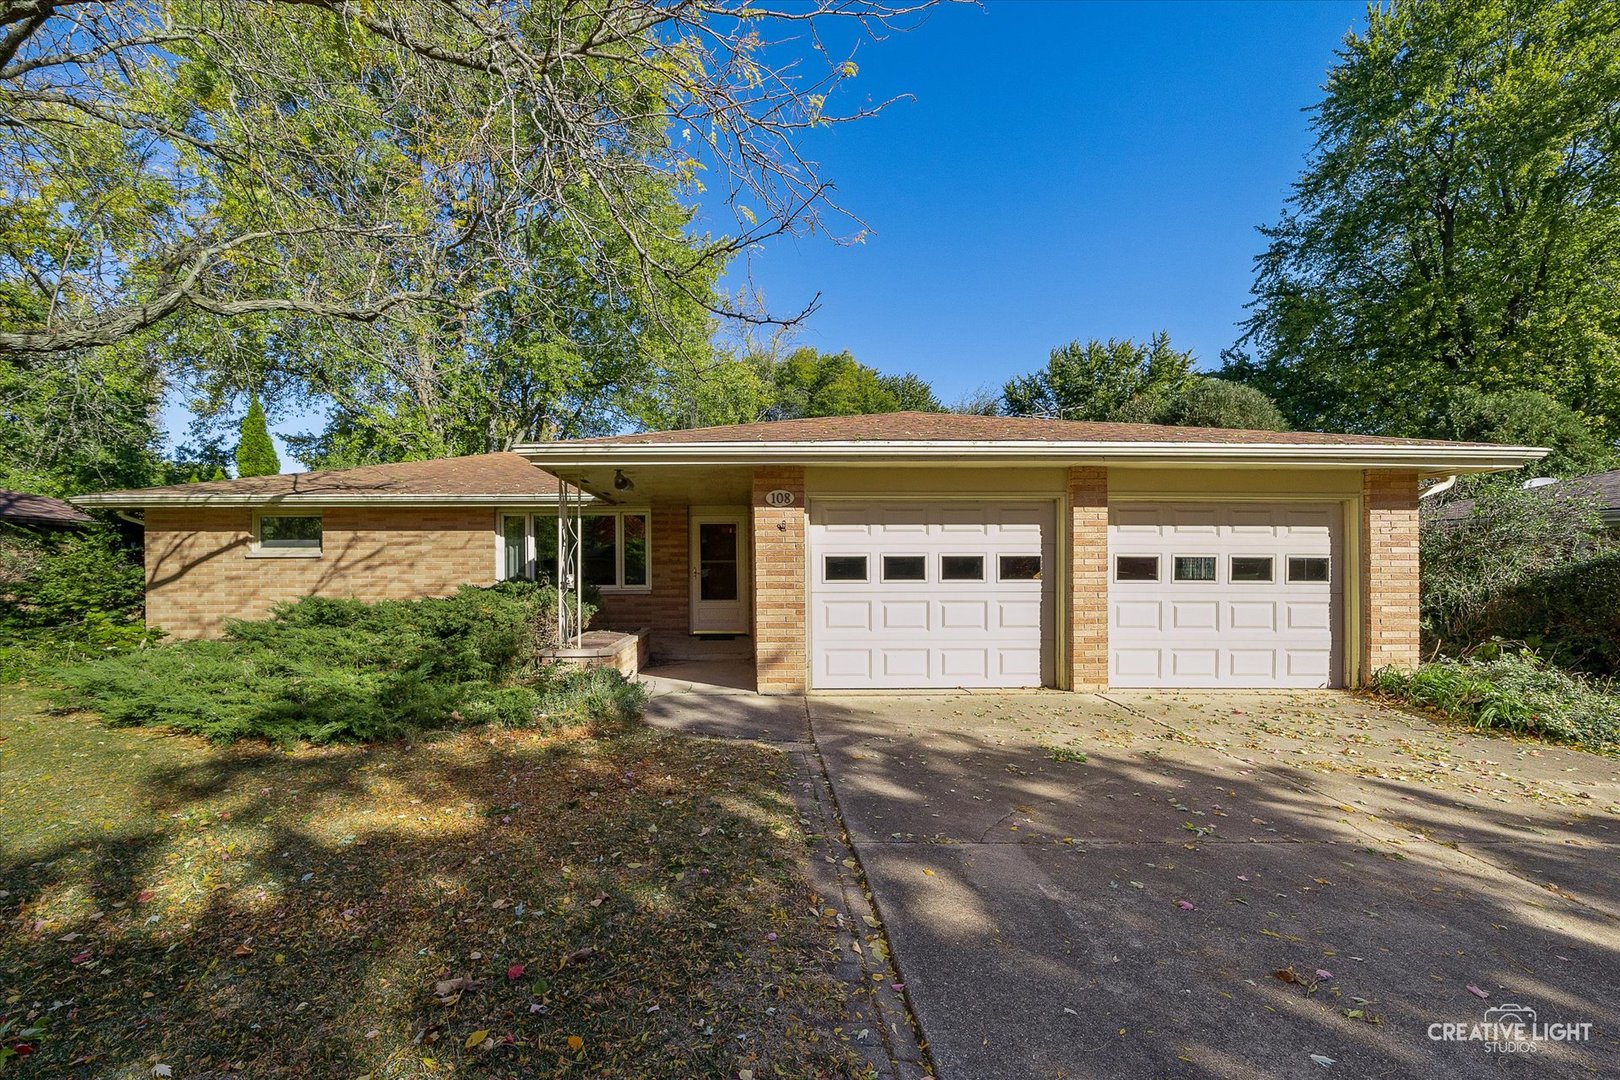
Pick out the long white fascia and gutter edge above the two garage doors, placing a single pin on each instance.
(1459, 459)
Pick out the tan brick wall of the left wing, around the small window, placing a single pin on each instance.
(200, 571)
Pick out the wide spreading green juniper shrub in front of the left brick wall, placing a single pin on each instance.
(347, 671)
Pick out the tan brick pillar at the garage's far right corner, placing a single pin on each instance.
(1389, 571)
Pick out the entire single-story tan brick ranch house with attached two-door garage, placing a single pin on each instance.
(897, 551)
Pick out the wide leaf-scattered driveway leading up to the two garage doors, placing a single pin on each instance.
(1127, 916)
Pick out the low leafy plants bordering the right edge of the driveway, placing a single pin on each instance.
(1516, 692)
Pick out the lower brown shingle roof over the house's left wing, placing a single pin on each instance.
(477, 480)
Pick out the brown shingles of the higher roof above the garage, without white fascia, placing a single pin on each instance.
(961, 428)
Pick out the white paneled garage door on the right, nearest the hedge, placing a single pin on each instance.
(1226, 595)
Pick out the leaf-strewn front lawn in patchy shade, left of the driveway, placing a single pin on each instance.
(497, 903)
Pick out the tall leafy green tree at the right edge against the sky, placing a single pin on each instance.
(1459, 223)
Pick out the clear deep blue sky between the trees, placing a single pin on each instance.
(1067, 171)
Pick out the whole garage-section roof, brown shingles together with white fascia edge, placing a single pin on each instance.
(953, 436)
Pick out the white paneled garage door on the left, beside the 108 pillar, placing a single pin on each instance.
(911, 595)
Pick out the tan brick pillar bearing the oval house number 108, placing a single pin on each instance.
(780, 584)
